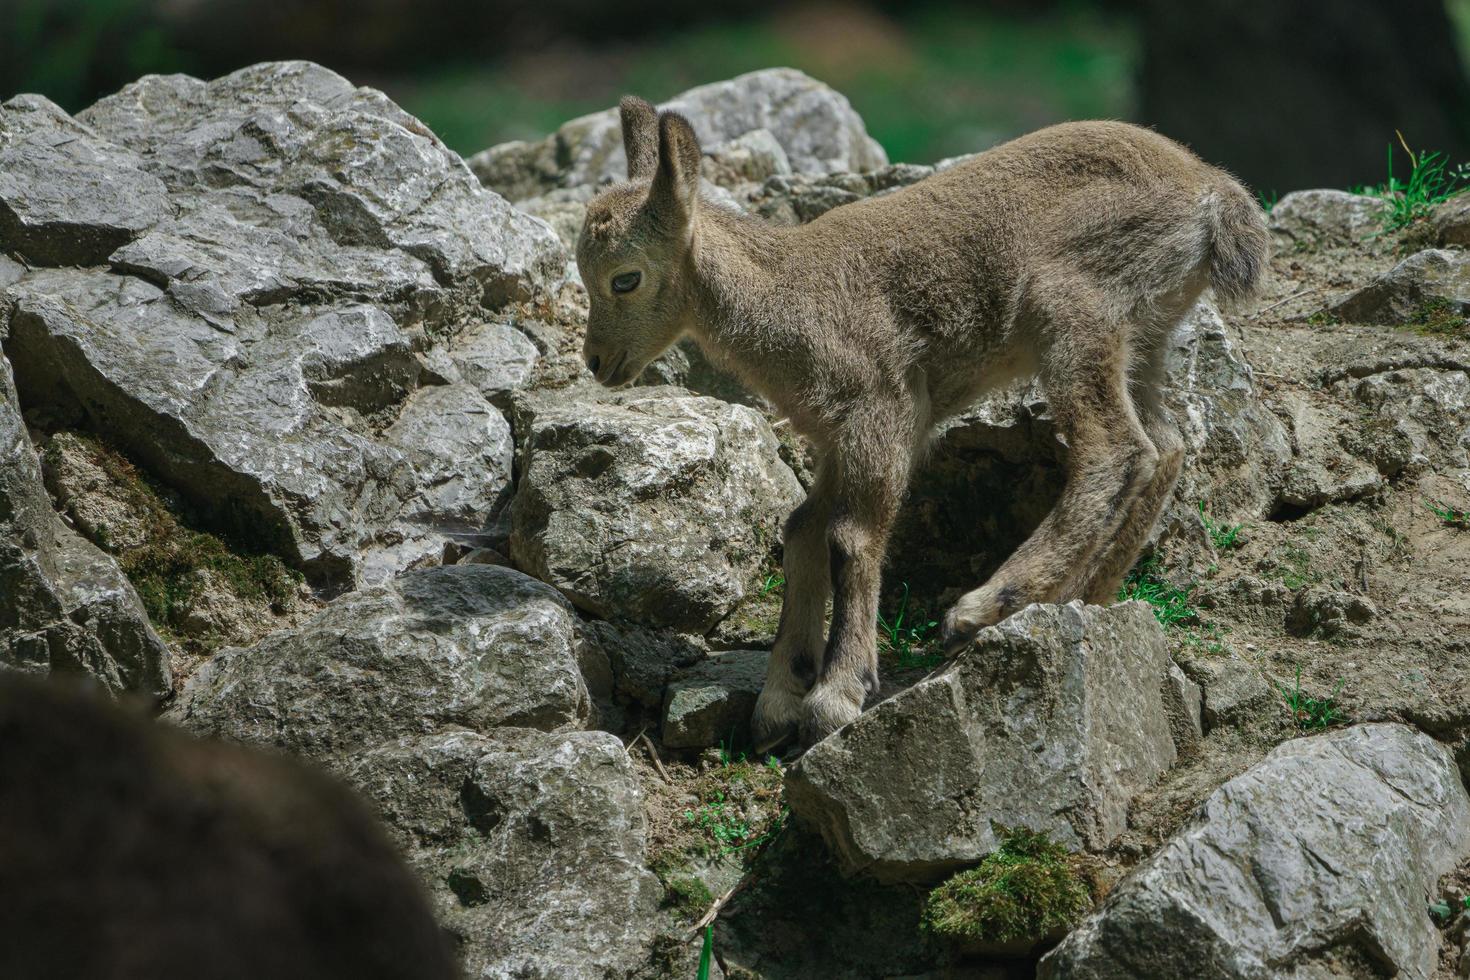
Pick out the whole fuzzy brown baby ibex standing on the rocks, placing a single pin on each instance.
(1066, 255)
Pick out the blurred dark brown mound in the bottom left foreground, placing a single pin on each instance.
(132, 851)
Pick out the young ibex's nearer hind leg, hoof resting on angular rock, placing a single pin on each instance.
(1111, 464)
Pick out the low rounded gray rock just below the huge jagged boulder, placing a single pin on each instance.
(452, 647)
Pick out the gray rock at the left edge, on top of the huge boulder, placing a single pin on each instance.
(67, 195)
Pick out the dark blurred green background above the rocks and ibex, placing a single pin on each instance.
(1286, 93)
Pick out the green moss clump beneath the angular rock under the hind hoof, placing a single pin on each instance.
(1025, 890)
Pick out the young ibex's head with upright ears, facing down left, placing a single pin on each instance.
(636, 246)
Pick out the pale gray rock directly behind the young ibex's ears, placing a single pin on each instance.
(815, 127)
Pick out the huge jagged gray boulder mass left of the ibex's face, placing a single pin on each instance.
(284, 255)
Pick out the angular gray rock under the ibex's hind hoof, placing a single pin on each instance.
(1053, 721)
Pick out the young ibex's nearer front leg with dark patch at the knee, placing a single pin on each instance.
(871, 464)
